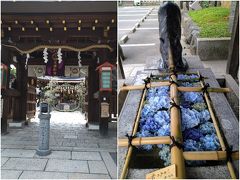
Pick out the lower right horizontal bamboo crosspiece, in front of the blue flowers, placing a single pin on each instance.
(208, 155)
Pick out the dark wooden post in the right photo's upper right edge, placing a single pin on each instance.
(233, 53)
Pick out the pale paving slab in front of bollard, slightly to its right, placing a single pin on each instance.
(58, 165)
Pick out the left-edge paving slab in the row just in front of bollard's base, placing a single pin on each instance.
(25, 164)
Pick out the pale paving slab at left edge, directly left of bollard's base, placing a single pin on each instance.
(18, 153)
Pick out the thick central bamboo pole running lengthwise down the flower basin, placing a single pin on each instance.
(175, 124)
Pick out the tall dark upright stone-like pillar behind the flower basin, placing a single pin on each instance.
(169, 17)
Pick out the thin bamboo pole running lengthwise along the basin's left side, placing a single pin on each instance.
(130, 149)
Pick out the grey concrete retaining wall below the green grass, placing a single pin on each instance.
(212, 48)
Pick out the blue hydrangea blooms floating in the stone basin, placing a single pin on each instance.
(197, 129)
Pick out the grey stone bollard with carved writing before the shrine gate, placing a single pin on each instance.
(44, 131)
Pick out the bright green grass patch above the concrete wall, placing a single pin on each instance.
(213, 21)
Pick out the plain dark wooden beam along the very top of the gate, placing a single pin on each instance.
(59, 7)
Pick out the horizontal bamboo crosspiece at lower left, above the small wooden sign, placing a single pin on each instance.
(145, 140)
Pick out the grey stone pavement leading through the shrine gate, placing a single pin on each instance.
(76, 151)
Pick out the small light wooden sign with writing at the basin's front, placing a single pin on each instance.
(164, 173)
